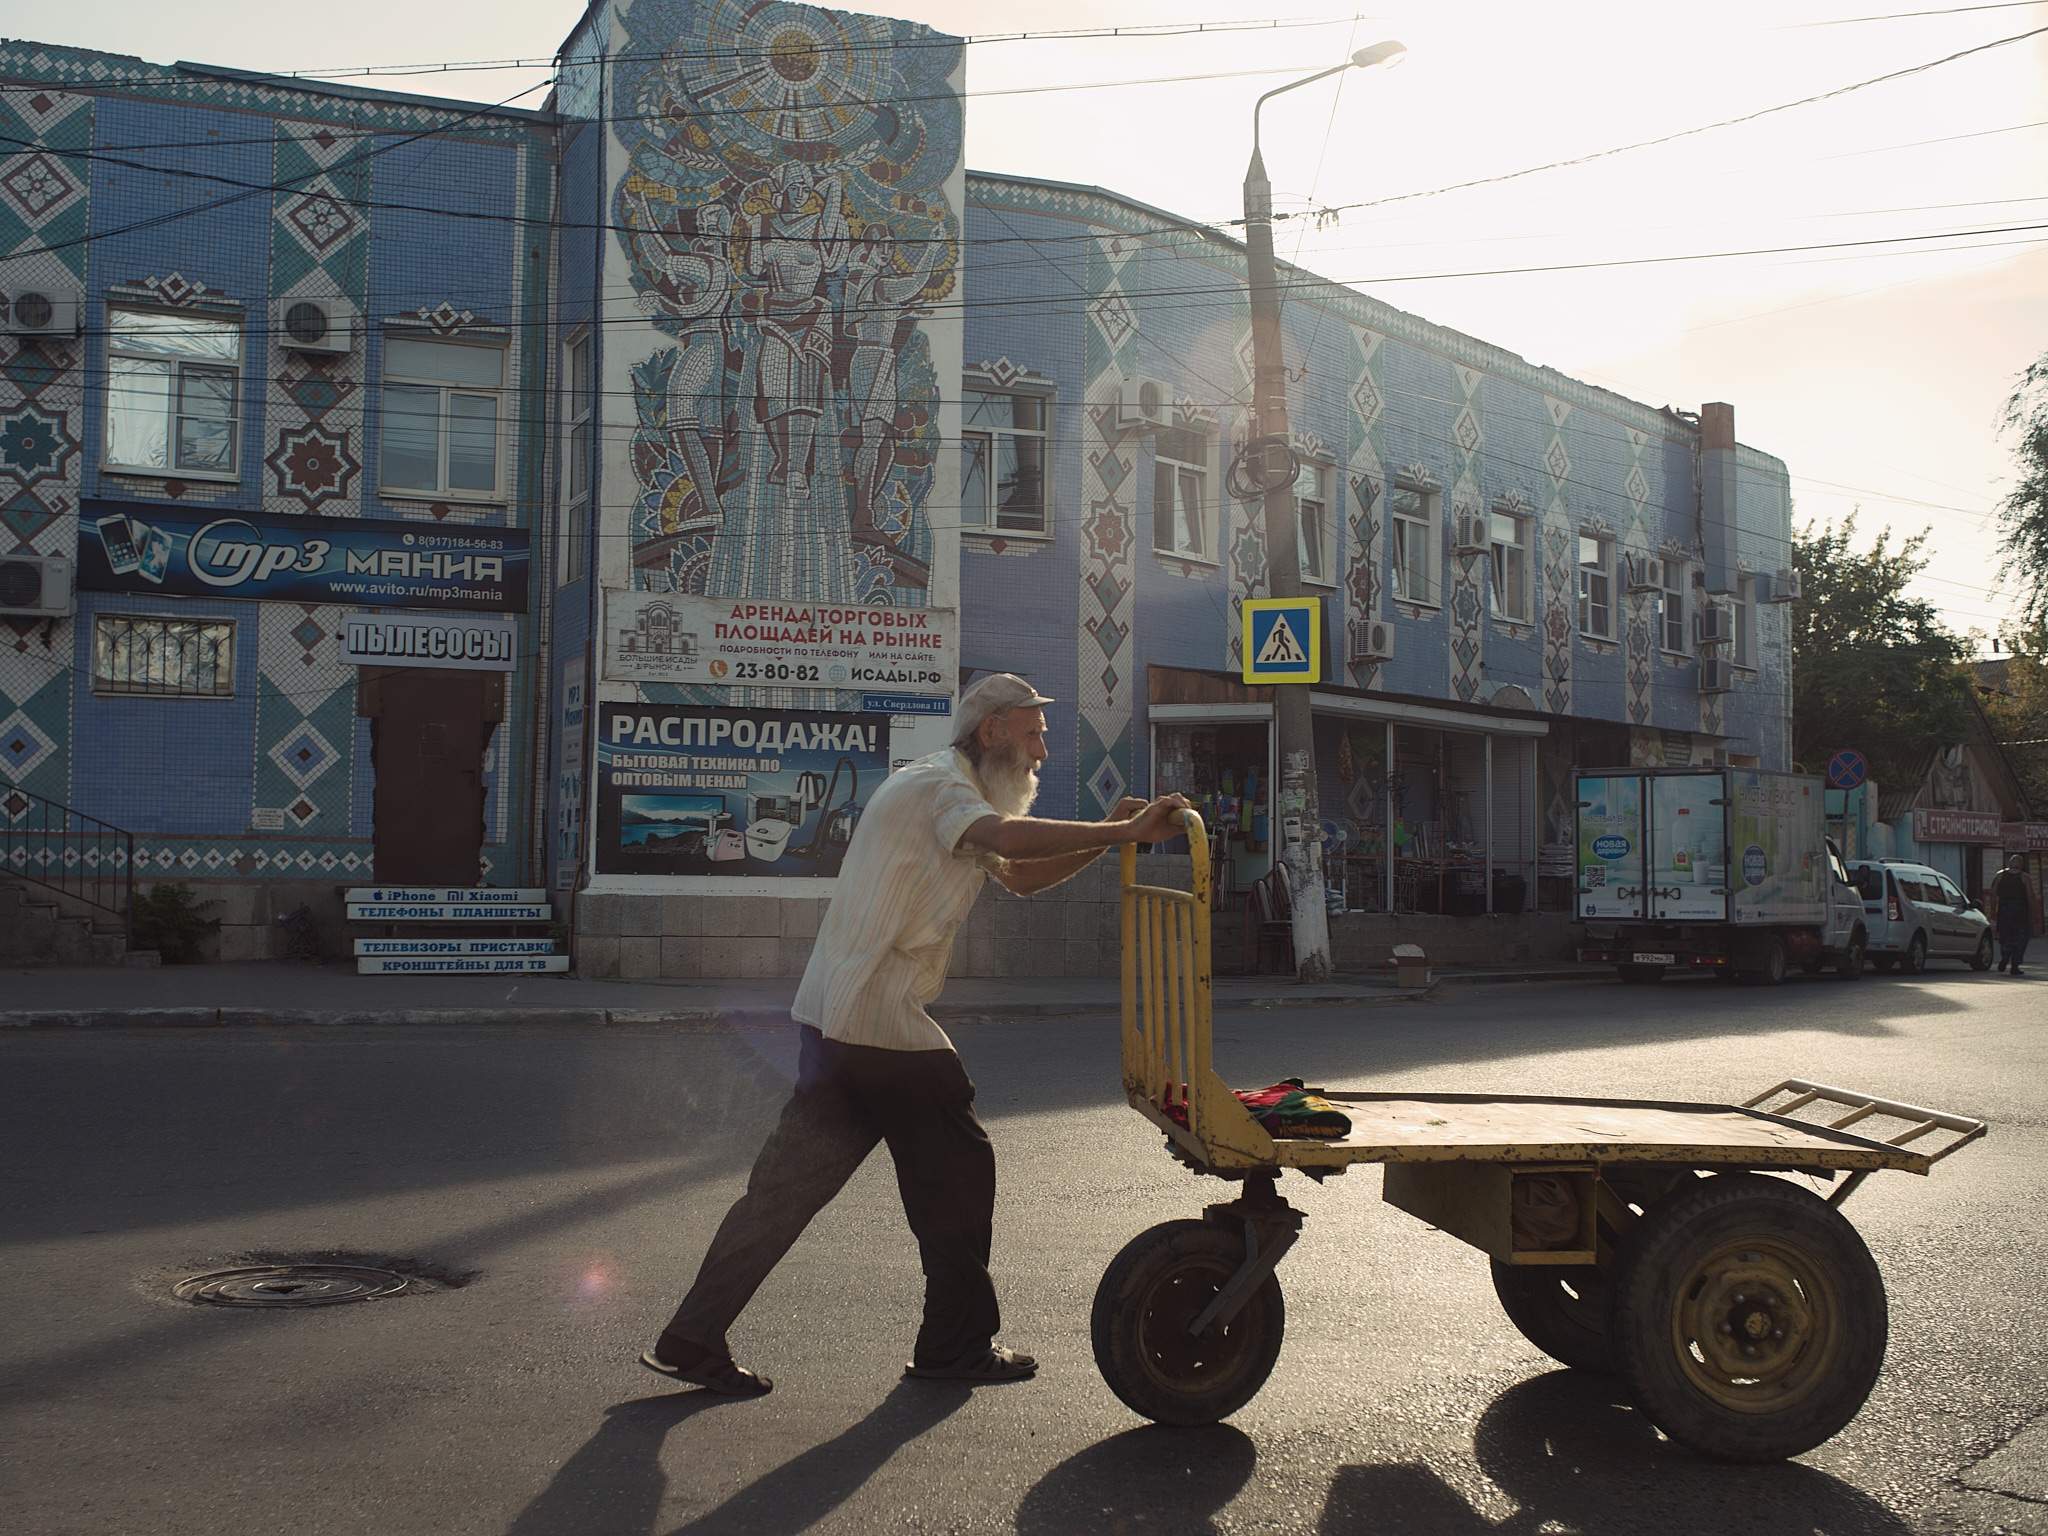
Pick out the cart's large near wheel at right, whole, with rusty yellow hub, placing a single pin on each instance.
(1748, 1318)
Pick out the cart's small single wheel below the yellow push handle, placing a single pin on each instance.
(1140, 1326)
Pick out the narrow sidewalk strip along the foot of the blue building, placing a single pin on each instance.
(267, 992)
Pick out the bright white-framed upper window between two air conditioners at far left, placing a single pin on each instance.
(173, 384)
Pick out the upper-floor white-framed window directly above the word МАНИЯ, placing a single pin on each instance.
(443, 404)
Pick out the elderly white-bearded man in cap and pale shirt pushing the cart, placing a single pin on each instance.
(878, 1068)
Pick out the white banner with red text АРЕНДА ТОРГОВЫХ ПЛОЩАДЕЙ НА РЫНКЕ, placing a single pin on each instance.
(740, 642)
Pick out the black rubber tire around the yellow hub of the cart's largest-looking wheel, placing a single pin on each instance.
(1664, 1252)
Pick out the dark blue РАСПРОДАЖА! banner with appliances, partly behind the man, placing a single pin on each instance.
(689, 790)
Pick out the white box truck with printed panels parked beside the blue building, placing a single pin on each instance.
(1713, 869)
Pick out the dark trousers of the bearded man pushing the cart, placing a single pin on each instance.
(849, 1099)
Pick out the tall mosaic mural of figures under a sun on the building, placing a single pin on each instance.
(787, 218)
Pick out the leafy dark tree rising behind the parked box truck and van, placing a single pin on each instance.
(1871, 667)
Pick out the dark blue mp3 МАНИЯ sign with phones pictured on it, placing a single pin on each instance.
(357, 562)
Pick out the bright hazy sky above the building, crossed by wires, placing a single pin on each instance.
(1877, 374)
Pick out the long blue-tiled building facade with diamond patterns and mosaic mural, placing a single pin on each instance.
(753, 343)
